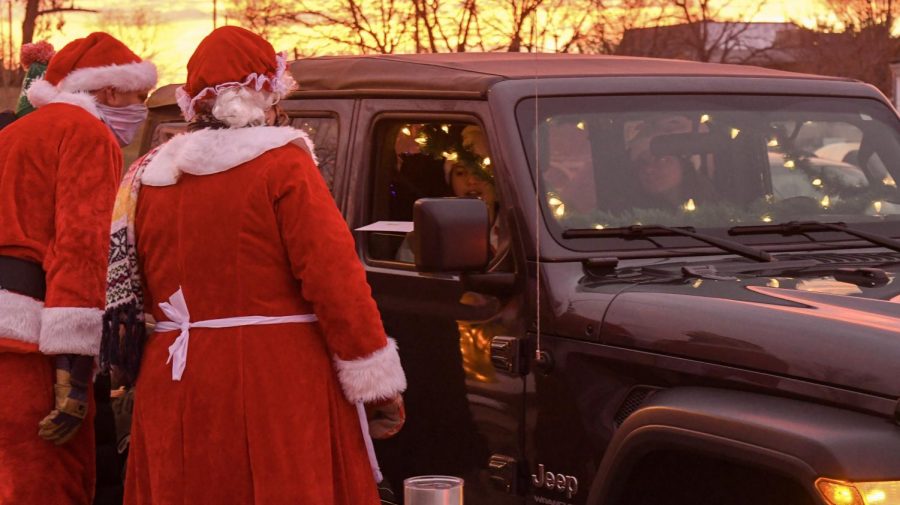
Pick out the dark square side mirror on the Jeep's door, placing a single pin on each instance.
(451, 235)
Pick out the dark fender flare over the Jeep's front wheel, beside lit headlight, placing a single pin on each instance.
(793, 437)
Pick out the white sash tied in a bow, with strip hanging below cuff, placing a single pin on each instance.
(180, 319)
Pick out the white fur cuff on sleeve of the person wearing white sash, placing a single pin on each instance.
(373, 377)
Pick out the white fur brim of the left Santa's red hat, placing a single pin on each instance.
(138, 76)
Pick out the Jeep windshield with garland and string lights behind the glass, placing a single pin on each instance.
(713, 162)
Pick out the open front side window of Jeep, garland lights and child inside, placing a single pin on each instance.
(419, 159)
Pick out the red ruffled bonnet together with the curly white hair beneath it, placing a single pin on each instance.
(235, 75)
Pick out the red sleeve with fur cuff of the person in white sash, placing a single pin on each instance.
(323, 258)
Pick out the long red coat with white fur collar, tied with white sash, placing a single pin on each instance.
(262, 414)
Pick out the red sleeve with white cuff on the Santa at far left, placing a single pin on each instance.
(90, 162)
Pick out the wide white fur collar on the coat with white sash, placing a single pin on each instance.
(206, 152)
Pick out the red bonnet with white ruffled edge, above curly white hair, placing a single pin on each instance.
(232, 57)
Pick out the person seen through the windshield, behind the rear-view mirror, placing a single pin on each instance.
(666, 181)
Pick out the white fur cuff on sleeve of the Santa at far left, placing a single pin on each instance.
(71, 330)
